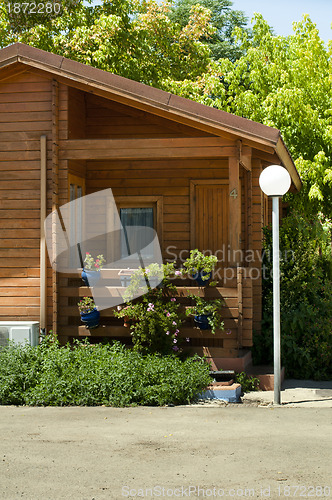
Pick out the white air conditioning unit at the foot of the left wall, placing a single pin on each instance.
(19, 332)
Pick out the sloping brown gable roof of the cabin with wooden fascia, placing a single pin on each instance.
(151, 99)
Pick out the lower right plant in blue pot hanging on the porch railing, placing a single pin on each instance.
(206, 313)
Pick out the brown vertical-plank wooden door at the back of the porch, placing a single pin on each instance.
(210, 218)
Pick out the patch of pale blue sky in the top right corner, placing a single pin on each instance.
(281, 14)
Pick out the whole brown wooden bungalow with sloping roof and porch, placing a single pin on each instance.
(67, 127)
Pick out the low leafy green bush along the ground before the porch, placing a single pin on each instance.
(91, 375)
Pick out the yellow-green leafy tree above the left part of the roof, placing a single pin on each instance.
(133, 38)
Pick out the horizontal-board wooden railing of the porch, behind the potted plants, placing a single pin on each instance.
(236, 314)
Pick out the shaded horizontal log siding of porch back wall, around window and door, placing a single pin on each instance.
(169, 179)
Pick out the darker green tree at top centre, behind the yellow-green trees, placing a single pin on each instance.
(222, 43)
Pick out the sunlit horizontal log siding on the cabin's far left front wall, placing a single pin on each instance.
(25, 115)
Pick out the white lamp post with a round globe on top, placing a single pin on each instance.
(275, 181)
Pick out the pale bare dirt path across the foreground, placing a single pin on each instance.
(105, 453)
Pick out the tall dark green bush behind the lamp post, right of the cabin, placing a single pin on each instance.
(306, 302)
